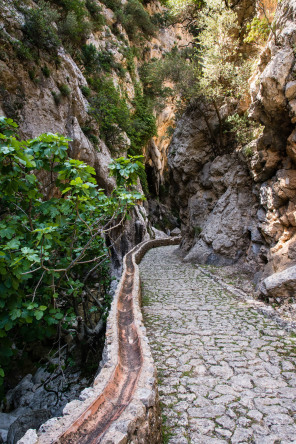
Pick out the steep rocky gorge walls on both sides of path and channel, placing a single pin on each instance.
(234, 202)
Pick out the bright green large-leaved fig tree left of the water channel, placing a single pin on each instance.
(49, 245)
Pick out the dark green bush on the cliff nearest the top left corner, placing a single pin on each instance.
(38, 28)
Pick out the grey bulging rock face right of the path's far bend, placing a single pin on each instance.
(217, 206)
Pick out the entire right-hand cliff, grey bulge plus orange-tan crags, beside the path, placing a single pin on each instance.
(235, 208)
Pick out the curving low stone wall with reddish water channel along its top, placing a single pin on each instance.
(122, 406)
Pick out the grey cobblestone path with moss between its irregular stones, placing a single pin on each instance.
(226, 373)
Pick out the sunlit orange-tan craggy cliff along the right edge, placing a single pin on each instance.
(273, 165)
